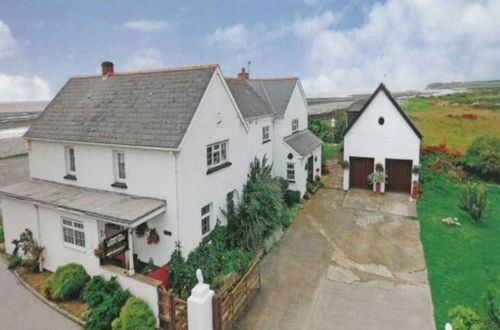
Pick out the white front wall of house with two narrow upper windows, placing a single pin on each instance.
(149, 173)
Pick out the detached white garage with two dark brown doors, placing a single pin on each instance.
(379, 132)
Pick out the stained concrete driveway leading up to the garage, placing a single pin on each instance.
(349, 261)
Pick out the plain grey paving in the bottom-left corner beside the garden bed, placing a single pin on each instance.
(22, 310)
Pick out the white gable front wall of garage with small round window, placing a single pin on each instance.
(393, 140)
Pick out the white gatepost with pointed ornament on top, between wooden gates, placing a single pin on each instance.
(200, 305)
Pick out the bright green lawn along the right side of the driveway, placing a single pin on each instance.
(463, 262)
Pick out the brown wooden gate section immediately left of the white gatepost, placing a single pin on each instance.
(172, 311)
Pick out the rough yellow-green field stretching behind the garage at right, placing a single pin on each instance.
(456, 119)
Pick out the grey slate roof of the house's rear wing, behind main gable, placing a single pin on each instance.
(260, 97)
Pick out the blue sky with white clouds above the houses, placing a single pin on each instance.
(335, 47)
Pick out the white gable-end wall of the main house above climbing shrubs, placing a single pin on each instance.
(196, 187)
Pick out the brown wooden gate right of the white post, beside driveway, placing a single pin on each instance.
(228, 306)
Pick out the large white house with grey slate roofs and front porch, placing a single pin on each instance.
(116, 152)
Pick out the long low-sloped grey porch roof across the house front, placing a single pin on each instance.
(114, 207)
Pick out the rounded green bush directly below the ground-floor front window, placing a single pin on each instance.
(67, 282)
